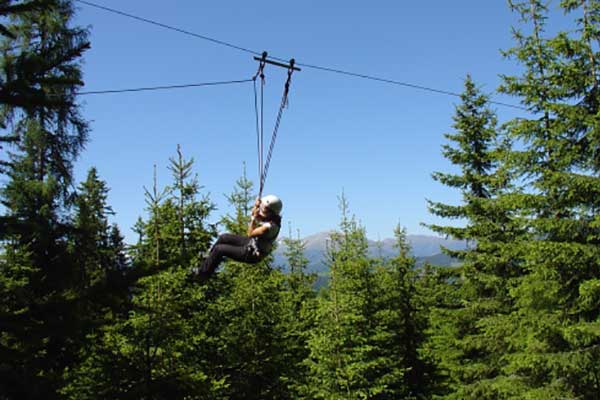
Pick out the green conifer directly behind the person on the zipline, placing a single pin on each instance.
(249, 308)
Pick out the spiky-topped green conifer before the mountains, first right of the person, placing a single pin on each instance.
(346, 355)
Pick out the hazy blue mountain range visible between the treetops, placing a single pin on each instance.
(424, 249)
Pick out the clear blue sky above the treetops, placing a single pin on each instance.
(377, 142)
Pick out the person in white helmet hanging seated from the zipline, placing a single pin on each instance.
(262, 232)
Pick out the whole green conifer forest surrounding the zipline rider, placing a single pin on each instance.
(85, 315)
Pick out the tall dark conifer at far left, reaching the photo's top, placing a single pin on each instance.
(40, 76)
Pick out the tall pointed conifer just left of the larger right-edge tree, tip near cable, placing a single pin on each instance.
(470, 339)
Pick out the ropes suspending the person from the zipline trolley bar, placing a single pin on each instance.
(263, 163)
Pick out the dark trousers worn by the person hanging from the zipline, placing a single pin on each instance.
(230, 246)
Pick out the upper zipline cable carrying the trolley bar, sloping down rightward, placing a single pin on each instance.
(311, 66)
